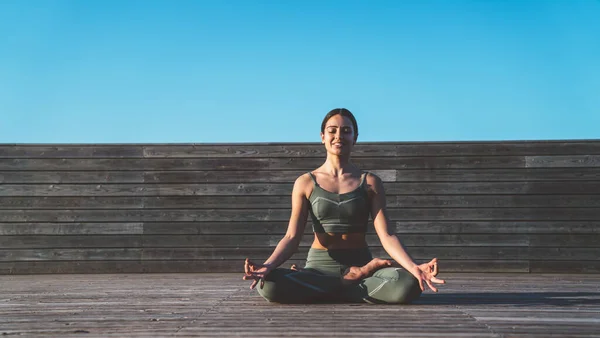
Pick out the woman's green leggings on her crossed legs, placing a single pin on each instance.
(320, 281)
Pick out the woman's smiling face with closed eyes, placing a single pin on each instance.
(338, 136)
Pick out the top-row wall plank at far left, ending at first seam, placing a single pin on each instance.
(70, 151)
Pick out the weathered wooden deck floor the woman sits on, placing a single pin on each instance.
(470, 305)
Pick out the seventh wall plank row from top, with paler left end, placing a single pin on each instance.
(555, 228)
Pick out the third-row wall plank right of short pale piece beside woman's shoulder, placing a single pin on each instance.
(509, 174)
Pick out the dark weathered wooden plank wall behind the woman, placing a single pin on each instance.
(477, 206)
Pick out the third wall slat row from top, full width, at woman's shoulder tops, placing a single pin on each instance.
(287, 176)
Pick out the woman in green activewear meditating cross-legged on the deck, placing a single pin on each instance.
(339, 267)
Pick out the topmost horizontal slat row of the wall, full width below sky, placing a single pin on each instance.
(370, 149)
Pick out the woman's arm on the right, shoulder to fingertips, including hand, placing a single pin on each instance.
(425, 273)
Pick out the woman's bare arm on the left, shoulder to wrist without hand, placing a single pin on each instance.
(288, 245)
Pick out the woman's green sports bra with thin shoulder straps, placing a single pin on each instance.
(339, 213)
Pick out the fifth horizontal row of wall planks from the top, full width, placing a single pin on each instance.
(284, 201)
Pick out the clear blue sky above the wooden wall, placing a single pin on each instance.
(268, 71)
